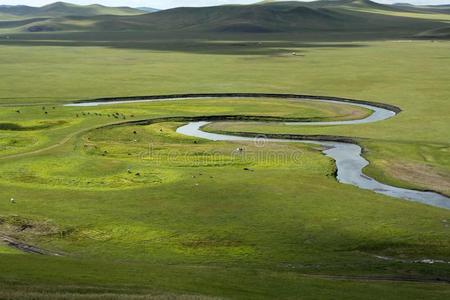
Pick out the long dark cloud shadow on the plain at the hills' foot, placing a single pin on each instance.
(229, 45)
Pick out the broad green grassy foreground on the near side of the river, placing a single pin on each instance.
(141, 229)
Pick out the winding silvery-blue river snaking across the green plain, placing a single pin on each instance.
(349, 162)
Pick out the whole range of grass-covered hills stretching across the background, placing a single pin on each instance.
(358, 19)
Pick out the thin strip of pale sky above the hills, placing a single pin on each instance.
(164, 4)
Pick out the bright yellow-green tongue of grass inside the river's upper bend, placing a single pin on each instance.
(27, 128)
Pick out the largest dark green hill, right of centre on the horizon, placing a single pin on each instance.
(293, 16)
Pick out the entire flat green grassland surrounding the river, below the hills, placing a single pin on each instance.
(141, 212)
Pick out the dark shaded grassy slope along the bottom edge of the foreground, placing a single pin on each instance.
(230, 283)
